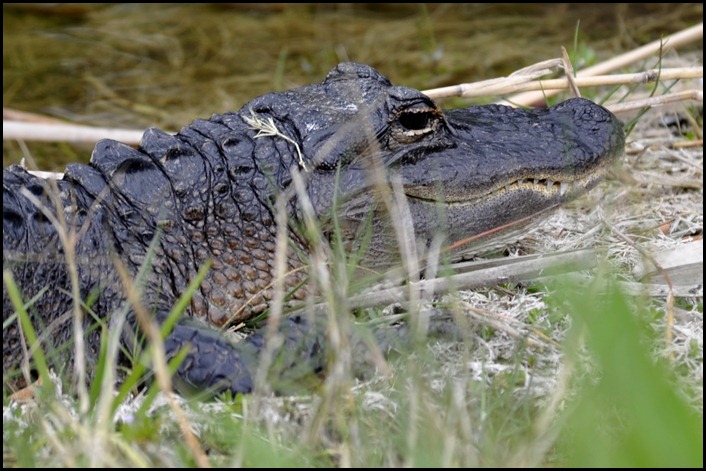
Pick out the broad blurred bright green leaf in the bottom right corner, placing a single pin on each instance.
(630, 413)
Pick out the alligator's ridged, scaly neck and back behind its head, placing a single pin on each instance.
(197, 194)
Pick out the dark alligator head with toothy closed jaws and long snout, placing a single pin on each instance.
(467, 174)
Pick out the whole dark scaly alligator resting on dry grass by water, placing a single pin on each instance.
(340, 152)
